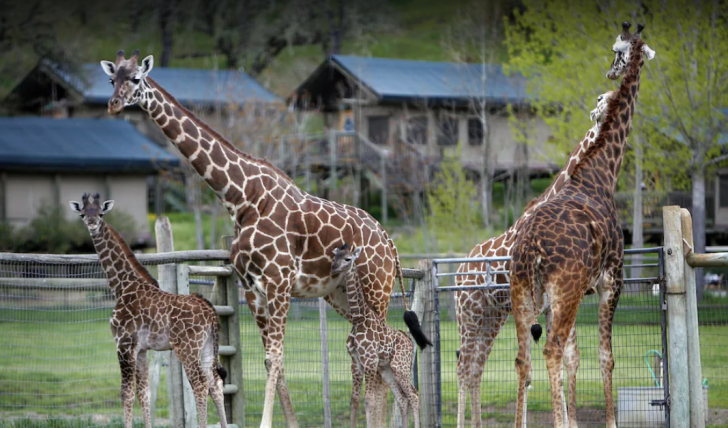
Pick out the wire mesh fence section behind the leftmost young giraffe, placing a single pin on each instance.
(57, 355)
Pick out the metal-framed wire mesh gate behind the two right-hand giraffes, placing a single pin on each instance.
(637, 343)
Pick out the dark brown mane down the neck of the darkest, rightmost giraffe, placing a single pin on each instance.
(606, 129)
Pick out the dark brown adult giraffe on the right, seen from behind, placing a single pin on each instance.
(572, 245)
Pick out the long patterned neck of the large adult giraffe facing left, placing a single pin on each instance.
(224, 168)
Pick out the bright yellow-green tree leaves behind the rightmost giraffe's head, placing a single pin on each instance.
(682, 92)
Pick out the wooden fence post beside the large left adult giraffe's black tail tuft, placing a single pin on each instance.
(423, 306)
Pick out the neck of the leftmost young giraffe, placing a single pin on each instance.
(118, 261)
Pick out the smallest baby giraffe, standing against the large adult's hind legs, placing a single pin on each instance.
(374, 347)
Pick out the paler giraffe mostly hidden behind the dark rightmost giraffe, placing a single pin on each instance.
(482, 313)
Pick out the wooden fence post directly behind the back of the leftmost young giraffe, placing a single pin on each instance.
(167, 274)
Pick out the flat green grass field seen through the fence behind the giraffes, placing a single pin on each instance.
(60, 362)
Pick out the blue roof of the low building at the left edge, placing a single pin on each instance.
(105, 145)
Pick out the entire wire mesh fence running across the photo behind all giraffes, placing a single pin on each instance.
(57, 356)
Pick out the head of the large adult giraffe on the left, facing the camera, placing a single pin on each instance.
(127, 77)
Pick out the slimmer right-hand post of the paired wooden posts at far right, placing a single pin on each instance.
(697, 416)
